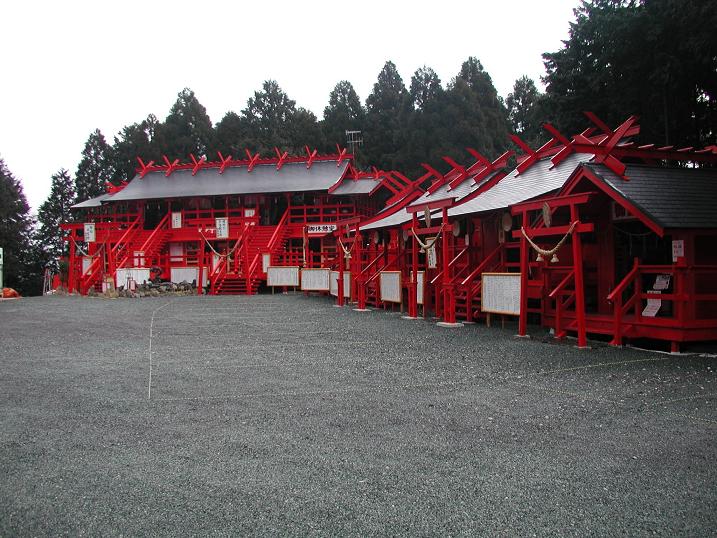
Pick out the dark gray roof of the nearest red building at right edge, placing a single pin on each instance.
(671, 197)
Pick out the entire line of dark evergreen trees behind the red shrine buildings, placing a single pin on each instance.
(656, 59)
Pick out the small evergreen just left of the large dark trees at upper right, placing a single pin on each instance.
(525, 111)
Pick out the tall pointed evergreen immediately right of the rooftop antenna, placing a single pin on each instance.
(387, 109)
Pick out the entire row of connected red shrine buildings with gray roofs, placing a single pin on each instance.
(588, 235)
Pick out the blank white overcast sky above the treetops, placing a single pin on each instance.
(70, 67)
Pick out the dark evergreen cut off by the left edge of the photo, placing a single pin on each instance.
(21, 269)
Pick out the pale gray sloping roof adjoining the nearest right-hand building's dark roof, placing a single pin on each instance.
(514, 188)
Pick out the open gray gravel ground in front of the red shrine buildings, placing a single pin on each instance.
(283, 415)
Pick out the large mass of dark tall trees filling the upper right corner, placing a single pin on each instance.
(651, 58)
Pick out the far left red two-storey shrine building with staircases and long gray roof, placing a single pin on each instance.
(218, 224)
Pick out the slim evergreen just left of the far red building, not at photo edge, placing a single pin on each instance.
(53, 212)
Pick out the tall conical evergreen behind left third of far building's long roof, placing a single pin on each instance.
(186, 130)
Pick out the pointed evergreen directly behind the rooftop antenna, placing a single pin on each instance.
(343, 113)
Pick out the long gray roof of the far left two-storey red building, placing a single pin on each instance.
(264, 178)
